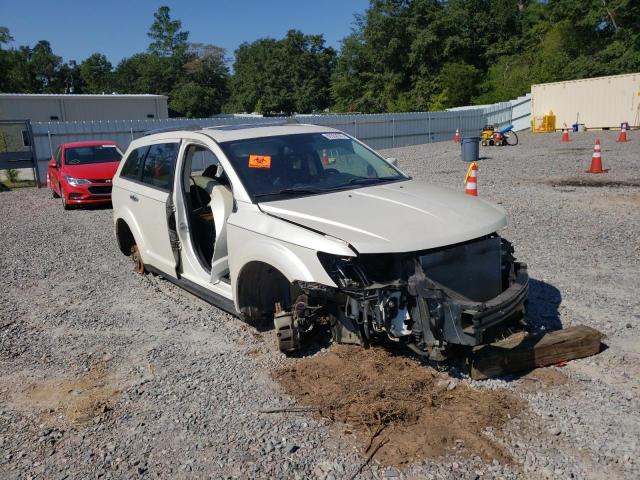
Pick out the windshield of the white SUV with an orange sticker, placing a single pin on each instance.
(305, 164)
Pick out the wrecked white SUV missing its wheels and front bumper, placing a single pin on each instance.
(309, 228)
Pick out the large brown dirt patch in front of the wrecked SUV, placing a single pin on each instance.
(413, 411)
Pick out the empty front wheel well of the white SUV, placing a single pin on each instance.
(260, 286)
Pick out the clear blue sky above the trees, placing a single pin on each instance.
(118, 28)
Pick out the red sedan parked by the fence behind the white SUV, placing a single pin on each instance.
(81, 172)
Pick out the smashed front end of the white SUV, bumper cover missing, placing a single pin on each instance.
(460, 295)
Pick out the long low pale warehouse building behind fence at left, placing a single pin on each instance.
(72, 107)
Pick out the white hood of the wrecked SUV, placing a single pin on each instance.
(396, 217)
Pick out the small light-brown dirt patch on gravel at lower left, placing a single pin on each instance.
(79, 399)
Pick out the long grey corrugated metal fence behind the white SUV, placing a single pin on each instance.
(380, 131)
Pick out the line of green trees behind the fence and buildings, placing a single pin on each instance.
(402, 55)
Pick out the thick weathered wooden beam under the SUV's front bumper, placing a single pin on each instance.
(526, 351)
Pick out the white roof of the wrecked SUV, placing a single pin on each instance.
(226, 133)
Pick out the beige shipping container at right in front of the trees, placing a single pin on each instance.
(602, 102)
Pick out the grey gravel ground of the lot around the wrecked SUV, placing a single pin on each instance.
(108, 374)
